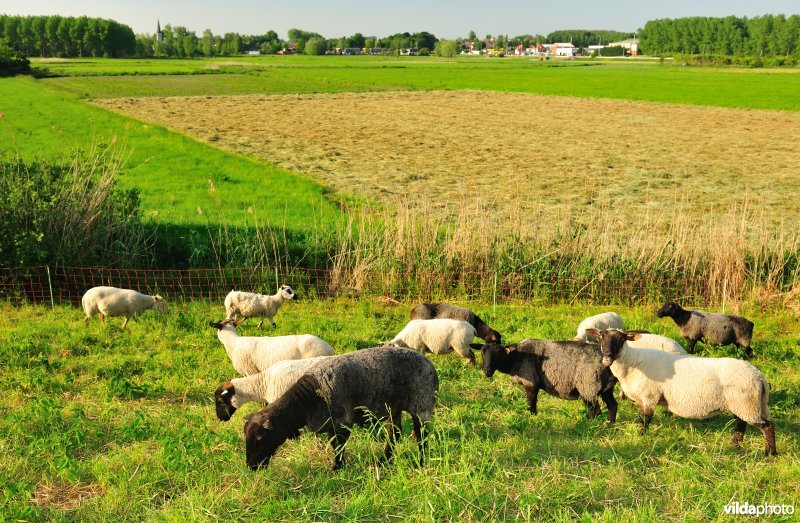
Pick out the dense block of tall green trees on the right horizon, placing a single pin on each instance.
(768, 35)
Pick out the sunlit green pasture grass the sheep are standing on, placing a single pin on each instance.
(128, 417)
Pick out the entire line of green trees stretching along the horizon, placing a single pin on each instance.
(768, 35)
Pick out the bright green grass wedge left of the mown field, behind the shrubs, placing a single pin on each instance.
(171, 171)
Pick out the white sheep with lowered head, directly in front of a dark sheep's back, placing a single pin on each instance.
(440, 336)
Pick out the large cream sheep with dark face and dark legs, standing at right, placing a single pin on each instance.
(689, 386)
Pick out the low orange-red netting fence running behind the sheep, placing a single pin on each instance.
(61, 285)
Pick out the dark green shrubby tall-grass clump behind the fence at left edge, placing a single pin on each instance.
(70, 212)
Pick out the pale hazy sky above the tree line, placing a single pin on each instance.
(446, 19)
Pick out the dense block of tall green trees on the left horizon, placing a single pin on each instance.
(67, 36)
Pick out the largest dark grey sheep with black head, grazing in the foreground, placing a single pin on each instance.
(332, 397)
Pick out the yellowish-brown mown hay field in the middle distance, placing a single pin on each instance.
(533, 162)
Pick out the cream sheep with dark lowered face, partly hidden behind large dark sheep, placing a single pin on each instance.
(265, 386)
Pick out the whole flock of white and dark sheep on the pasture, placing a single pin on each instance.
(304, 385)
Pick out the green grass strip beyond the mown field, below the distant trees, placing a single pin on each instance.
(627, 80)
